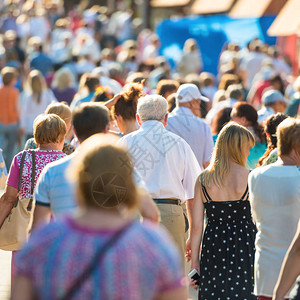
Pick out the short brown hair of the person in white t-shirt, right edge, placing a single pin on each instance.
(288, 136)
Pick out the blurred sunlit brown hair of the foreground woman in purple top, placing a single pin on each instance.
(103, 173)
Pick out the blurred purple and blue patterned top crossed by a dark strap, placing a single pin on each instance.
(142, 263)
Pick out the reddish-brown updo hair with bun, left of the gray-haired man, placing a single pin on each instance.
(127, 103)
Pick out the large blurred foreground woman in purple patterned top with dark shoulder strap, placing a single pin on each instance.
(114, 256)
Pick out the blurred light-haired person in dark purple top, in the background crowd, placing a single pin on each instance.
(63, 85)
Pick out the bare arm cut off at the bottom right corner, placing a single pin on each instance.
(290, 269)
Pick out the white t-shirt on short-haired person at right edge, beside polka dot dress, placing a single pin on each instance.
(275, 204)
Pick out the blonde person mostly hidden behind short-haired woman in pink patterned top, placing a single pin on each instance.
(62, 110)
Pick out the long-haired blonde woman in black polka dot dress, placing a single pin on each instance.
(227, 254)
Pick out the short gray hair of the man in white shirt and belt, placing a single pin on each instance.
(152, 107)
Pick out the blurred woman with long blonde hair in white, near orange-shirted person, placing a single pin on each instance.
(34, 100)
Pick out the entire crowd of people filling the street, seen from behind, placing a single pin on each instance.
(103, 141)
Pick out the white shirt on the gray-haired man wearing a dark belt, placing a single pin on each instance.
(165, 161)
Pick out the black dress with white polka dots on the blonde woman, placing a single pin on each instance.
(227, 255)
